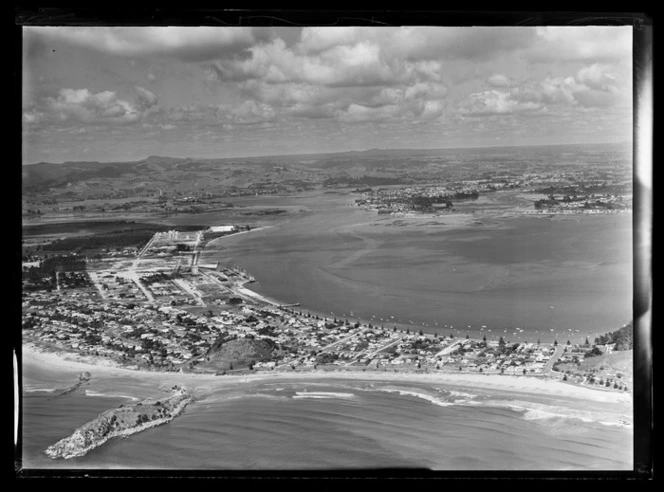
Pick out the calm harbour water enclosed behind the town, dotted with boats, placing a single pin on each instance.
(564, 277)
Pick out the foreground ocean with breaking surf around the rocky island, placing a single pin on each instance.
(324, 425)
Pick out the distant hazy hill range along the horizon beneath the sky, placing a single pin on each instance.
(389, 166)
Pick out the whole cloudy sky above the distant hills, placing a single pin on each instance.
(125, 93)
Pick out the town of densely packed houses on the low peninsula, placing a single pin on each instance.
(160, 308)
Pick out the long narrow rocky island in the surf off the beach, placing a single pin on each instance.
(122, 421)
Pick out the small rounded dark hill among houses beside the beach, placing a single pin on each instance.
(239, 352)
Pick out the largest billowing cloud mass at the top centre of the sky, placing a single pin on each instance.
(328, 74)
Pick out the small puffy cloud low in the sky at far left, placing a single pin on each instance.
(81, 105)
